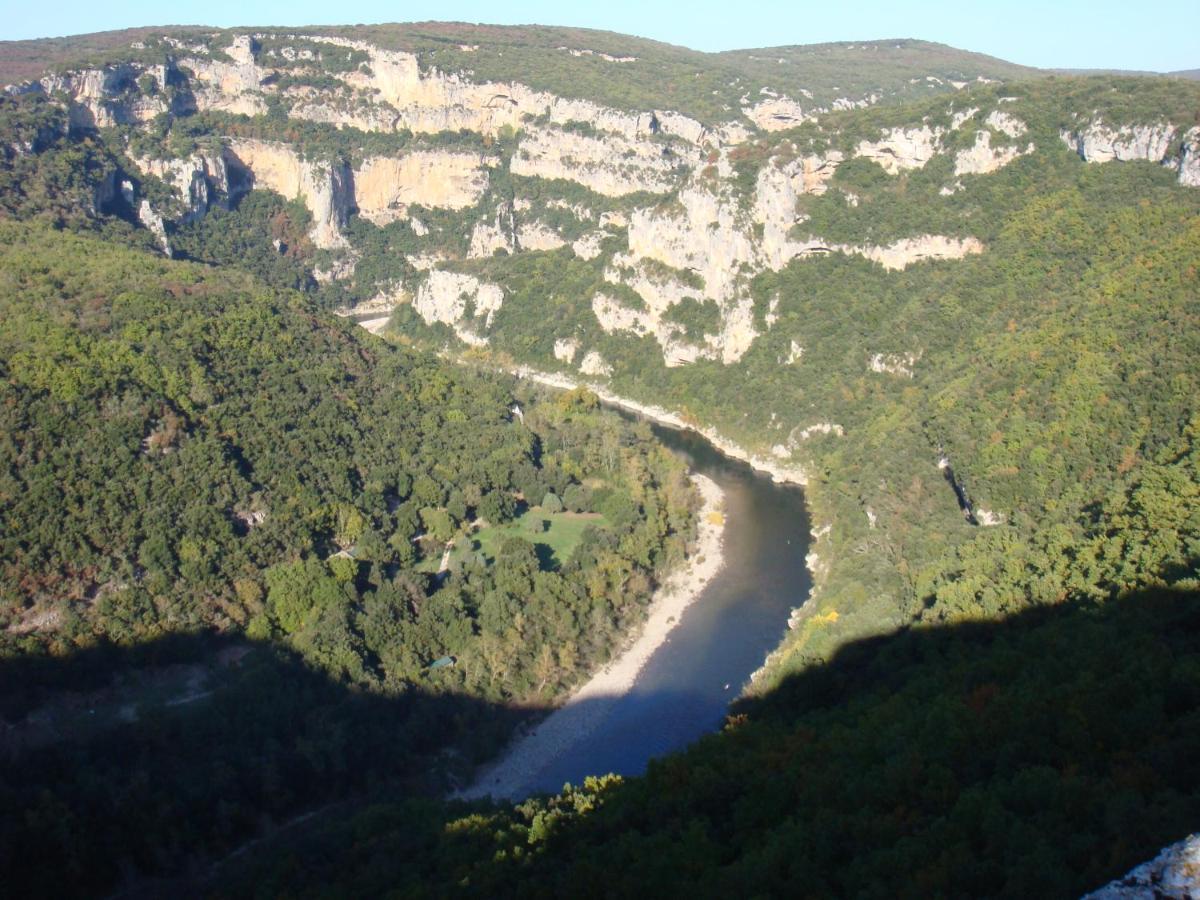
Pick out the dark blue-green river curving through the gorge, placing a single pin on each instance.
(686, 687)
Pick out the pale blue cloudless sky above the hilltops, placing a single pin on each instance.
(1162, 35)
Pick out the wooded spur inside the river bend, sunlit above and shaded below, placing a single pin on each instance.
(189, 454)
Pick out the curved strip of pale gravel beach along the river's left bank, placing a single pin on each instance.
(517, 772)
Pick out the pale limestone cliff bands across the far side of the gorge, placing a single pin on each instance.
(658, 203)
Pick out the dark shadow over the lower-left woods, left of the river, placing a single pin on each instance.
(122, 766)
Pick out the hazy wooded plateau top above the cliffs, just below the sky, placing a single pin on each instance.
(617, 70)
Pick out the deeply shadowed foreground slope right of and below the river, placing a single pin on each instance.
(1040, 757)
